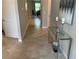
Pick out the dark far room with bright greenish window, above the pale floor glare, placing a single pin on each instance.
(36, 7)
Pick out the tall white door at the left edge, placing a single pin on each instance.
(9, 18)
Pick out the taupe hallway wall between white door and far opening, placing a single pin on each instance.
(25, 16)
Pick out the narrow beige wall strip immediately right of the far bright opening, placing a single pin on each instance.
(44, 12)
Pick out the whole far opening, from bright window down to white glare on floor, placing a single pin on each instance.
(36, 13)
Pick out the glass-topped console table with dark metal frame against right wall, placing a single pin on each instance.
(63, 40)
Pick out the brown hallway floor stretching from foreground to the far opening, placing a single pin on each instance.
(34, 46)
